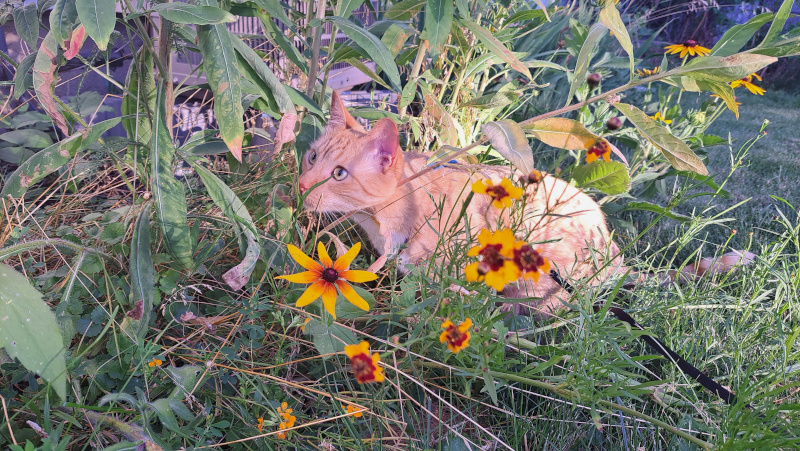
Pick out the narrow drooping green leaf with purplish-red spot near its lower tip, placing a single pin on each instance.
(142, 272)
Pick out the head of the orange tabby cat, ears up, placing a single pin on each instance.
(360, 168)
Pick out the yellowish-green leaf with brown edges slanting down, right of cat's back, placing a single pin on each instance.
(675, 150)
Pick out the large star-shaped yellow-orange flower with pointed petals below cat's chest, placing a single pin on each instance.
(325, 278)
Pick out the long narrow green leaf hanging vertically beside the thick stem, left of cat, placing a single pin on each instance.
(168, 194)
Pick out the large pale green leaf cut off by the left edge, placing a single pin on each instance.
(29, 331)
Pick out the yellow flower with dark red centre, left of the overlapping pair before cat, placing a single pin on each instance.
(496, 267)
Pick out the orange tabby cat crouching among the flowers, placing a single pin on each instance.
(361, 171)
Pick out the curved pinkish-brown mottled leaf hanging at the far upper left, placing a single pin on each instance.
(45, 75)
